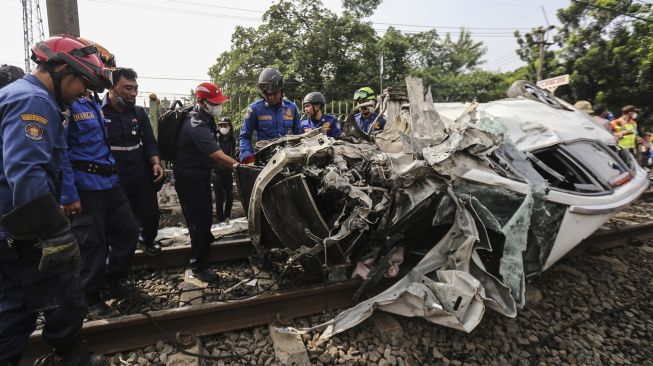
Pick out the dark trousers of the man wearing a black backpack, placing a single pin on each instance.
(195, 198)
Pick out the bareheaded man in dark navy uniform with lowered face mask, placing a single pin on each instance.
(136, 152)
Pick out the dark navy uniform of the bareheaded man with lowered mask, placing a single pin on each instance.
(132, 145)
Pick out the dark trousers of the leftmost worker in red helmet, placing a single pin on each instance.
(25, 292)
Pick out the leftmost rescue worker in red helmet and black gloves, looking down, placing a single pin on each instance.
(39, 254)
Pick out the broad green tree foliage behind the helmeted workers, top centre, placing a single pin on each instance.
(316, 49)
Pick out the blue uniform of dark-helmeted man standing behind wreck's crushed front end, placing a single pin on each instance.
(269, 123)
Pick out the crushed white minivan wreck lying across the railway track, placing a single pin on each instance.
(463, 202)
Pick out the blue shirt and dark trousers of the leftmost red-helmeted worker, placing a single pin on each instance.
(32, 143)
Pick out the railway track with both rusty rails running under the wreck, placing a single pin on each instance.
(140, 330)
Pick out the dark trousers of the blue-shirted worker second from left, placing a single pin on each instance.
(107, 233)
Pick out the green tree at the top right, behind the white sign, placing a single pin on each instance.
(607, 47)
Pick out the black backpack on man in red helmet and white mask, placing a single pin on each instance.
(169, 124)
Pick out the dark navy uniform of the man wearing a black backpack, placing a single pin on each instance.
(192, 171)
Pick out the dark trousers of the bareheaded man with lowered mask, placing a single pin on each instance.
(143, 200)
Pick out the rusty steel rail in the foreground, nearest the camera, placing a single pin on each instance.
(138, 330)
